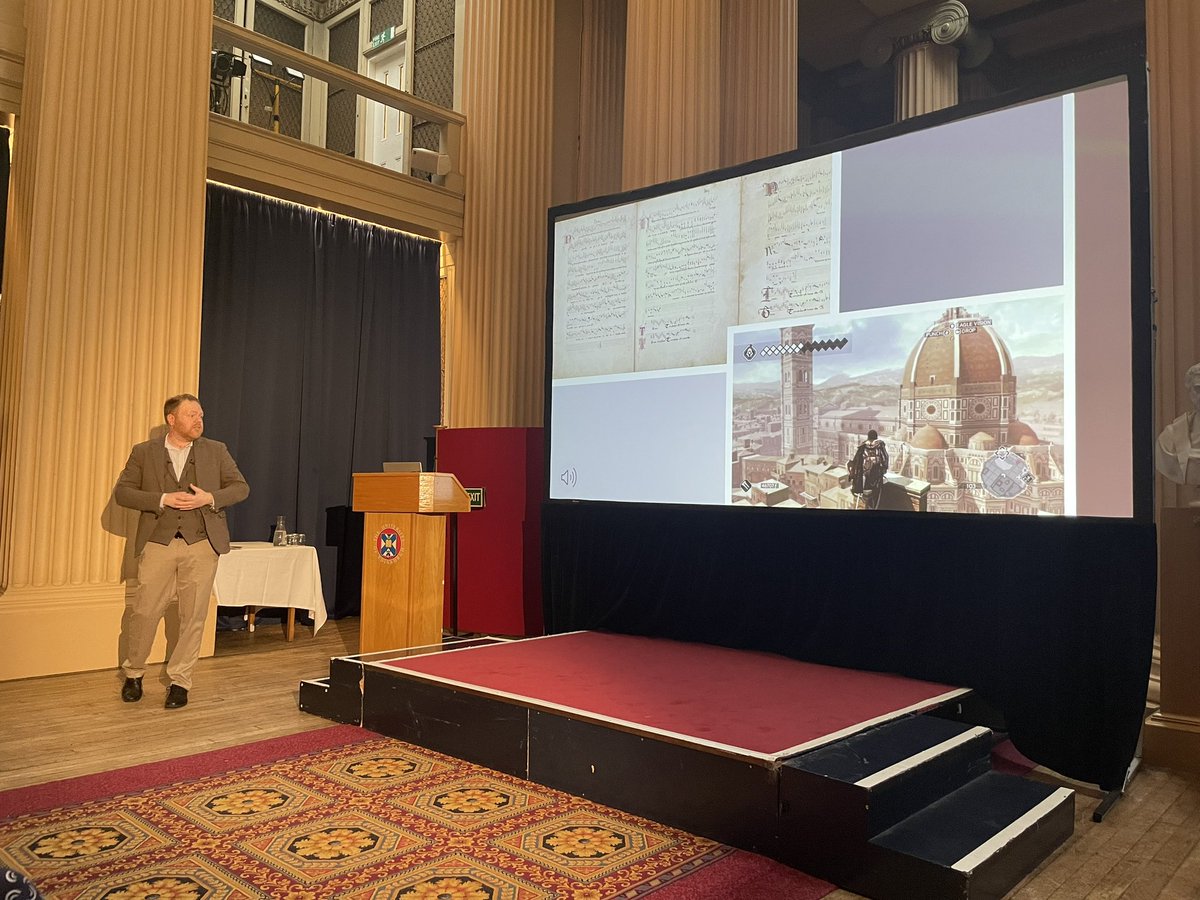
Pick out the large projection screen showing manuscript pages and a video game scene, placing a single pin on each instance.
(937, 322)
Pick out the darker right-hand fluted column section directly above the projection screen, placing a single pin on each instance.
(760, 63)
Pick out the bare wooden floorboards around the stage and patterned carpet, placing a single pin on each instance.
(1149, 847)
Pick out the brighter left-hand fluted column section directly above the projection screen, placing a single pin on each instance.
(673, 91)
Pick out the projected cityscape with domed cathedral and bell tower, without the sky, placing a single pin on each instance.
(955, 439)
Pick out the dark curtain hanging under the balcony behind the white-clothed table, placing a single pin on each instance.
(320, 357)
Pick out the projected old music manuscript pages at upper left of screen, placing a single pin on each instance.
(656, 285)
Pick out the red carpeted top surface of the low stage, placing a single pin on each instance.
(740, 700)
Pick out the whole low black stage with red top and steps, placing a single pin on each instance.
(871, 781)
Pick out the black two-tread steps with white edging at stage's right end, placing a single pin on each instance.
(913, 809)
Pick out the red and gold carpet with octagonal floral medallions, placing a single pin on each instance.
(356, 815)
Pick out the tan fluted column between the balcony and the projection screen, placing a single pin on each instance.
(496, 315)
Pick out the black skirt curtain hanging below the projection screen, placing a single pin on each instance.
(1051, 621)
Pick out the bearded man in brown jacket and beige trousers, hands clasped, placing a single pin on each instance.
(182, 485)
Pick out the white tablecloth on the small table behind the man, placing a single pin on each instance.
(259, 574)
